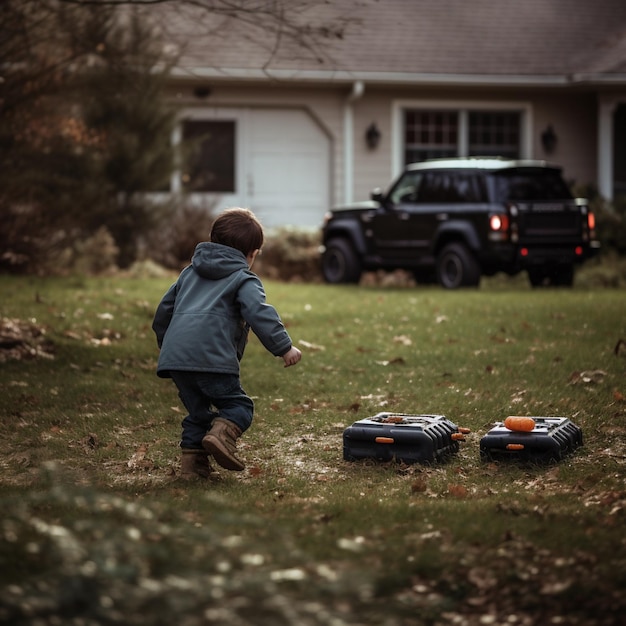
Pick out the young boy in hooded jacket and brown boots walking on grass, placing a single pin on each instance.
(202, 326)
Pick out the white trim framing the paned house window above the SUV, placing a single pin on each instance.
(398, 106)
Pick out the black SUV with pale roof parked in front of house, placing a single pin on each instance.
(453, 220)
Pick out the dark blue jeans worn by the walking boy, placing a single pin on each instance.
(207, 396)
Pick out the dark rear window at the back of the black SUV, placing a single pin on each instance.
(528, 185)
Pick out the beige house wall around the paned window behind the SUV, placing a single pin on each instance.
(572, 115)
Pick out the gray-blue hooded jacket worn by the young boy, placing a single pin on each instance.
(203, 320)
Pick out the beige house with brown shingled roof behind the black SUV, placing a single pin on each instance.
(295, 129)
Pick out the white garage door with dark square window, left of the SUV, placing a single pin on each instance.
(274, 161)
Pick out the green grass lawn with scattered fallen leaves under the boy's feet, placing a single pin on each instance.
(97, 528)
